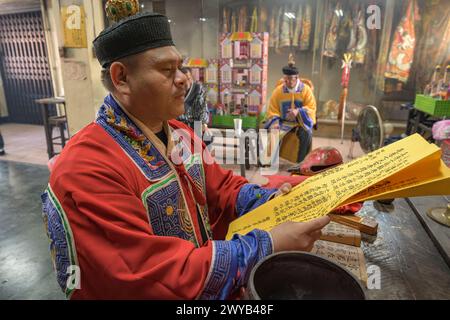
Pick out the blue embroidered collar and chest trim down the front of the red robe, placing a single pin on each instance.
(164, 201)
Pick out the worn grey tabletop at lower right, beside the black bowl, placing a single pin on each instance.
(411, 265)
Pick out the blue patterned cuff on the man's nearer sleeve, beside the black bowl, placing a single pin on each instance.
(232, 262)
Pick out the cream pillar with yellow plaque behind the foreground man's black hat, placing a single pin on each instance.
(78, 67)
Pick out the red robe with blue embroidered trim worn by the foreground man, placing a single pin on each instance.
(127, 221)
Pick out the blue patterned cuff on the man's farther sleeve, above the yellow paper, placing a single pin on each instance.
(252, 196)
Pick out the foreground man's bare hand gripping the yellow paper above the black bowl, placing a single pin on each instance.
(292, 236)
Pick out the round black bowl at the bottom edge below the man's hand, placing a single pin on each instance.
(296, 275)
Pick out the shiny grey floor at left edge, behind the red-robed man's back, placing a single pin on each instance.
(25, 264)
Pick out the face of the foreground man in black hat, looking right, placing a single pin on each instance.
(157, 86)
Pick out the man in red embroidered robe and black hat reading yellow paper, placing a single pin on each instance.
(134, 209)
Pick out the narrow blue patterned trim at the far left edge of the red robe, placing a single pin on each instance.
(62, 244)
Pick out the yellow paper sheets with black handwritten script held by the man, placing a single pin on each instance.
(409, 167)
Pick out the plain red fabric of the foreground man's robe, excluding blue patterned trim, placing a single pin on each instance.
(100, 189)
